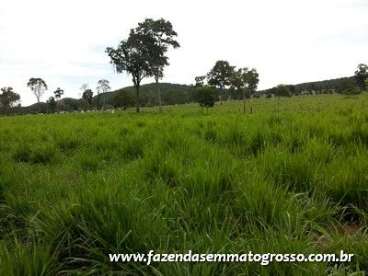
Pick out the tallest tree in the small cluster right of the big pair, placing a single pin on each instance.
(220, 75)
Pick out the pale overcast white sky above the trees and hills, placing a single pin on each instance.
(287, 41)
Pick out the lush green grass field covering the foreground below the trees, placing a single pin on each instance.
(290, 177)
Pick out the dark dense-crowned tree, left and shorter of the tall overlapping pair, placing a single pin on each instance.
(136, 56)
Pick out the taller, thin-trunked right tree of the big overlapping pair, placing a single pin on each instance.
(164, 37)
